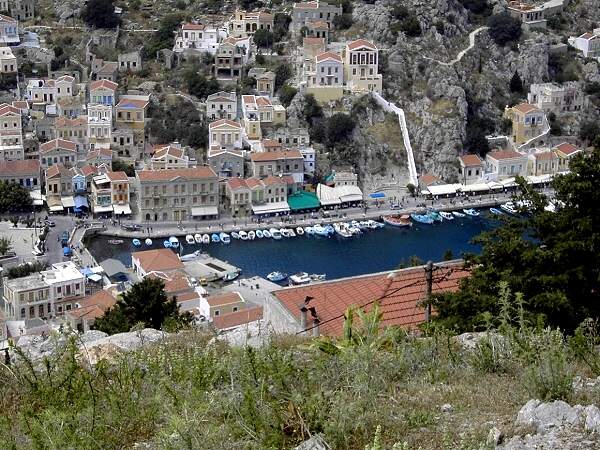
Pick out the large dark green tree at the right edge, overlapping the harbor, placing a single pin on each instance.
(550, 258)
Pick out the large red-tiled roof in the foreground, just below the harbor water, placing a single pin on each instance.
(399, 294)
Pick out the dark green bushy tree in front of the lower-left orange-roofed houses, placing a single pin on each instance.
(145, 303)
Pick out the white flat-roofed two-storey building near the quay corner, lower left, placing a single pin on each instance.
(45, 294)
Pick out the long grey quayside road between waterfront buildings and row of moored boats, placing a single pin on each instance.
(404, 205)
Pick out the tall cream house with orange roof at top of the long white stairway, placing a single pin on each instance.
(361, 59)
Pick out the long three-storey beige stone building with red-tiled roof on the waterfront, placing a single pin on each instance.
(178, 194)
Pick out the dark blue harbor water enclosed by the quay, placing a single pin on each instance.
(373, 251)
